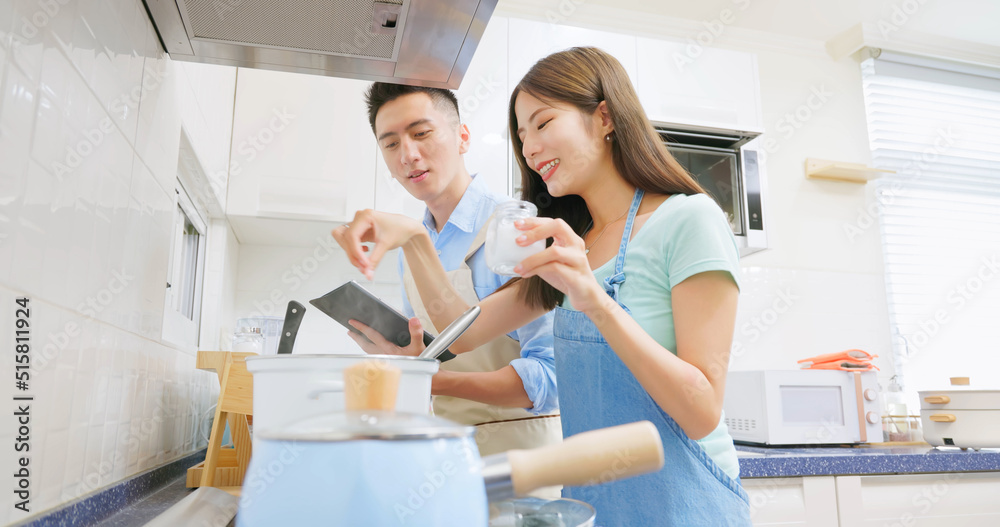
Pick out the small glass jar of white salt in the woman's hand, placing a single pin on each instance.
(502, 251)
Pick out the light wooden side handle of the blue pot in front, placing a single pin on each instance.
(598, 456)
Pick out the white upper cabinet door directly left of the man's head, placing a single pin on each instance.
(302, 148)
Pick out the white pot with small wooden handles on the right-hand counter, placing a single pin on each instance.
(962, 417)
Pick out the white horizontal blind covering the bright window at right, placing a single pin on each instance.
(938, 126)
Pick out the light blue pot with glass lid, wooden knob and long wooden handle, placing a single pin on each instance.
(372, 466)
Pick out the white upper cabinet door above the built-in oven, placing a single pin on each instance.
(685, 83)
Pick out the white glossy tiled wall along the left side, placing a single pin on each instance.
(90, 121)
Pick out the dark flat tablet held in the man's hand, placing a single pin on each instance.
(353, 302)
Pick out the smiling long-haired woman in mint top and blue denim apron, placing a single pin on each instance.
(642, 271)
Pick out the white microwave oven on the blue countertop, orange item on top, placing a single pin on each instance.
(802, 407)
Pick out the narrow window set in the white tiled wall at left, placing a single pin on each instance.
(185, 274)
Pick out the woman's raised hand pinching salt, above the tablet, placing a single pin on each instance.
(387, 231)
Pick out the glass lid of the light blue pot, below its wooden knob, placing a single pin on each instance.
(368, 424)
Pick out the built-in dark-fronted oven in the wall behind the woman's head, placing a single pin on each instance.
(727, 165)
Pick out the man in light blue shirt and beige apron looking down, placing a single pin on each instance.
(507, 387)
